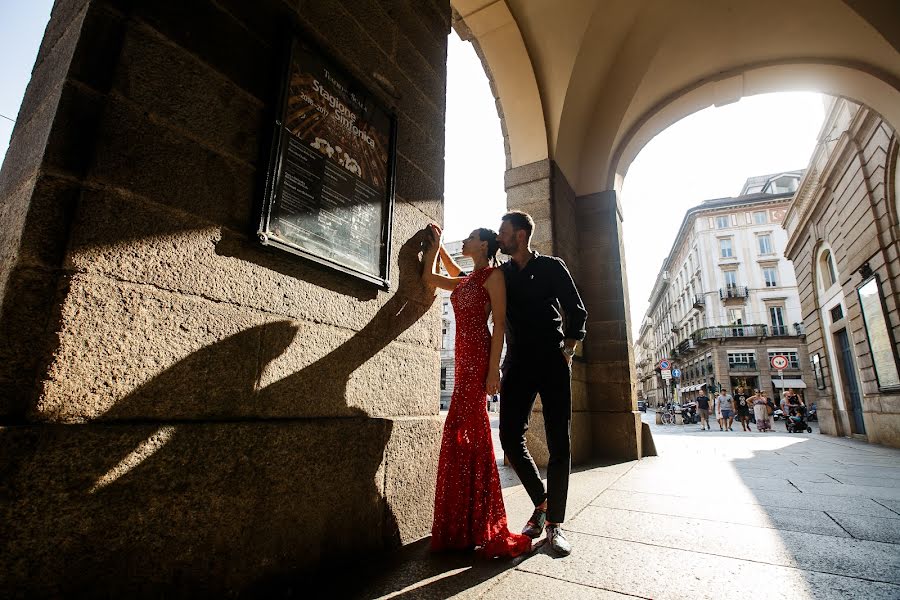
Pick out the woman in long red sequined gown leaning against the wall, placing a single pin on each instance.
(468, 503)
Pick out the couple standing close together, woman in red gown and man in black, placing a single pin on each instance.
(523, 297)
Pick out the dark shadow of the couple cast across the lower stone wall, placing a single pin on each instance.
(144, 503)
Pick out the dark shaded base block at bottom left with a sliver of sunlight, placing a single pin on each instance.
(151, 509)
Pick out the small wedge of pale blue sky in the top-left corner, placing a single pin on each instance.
(22, 24)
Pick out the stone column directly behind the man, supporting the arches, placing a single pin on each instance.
(586, 233)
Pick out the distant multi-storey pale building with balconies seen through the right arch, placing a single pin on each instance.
(725, 301)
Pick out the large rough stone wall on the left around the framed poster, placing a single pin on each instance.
(183, 408)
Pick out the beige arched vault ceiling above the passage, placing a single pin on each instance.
(589, 82)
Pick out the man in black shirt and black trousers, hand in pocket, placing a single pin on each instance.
(539, 349)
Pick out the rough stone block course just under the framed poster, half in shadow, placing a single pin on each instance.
(137, 241)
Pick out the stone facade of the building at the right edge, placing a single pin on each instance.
(853, 214)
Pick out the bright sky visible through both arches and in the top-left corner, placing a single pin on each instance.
(706, 155)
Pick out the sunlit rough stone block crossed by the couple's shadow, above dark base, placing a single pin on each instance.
(158, 355)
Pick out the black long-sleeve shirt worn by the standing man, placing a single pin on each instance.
(534, 296)
